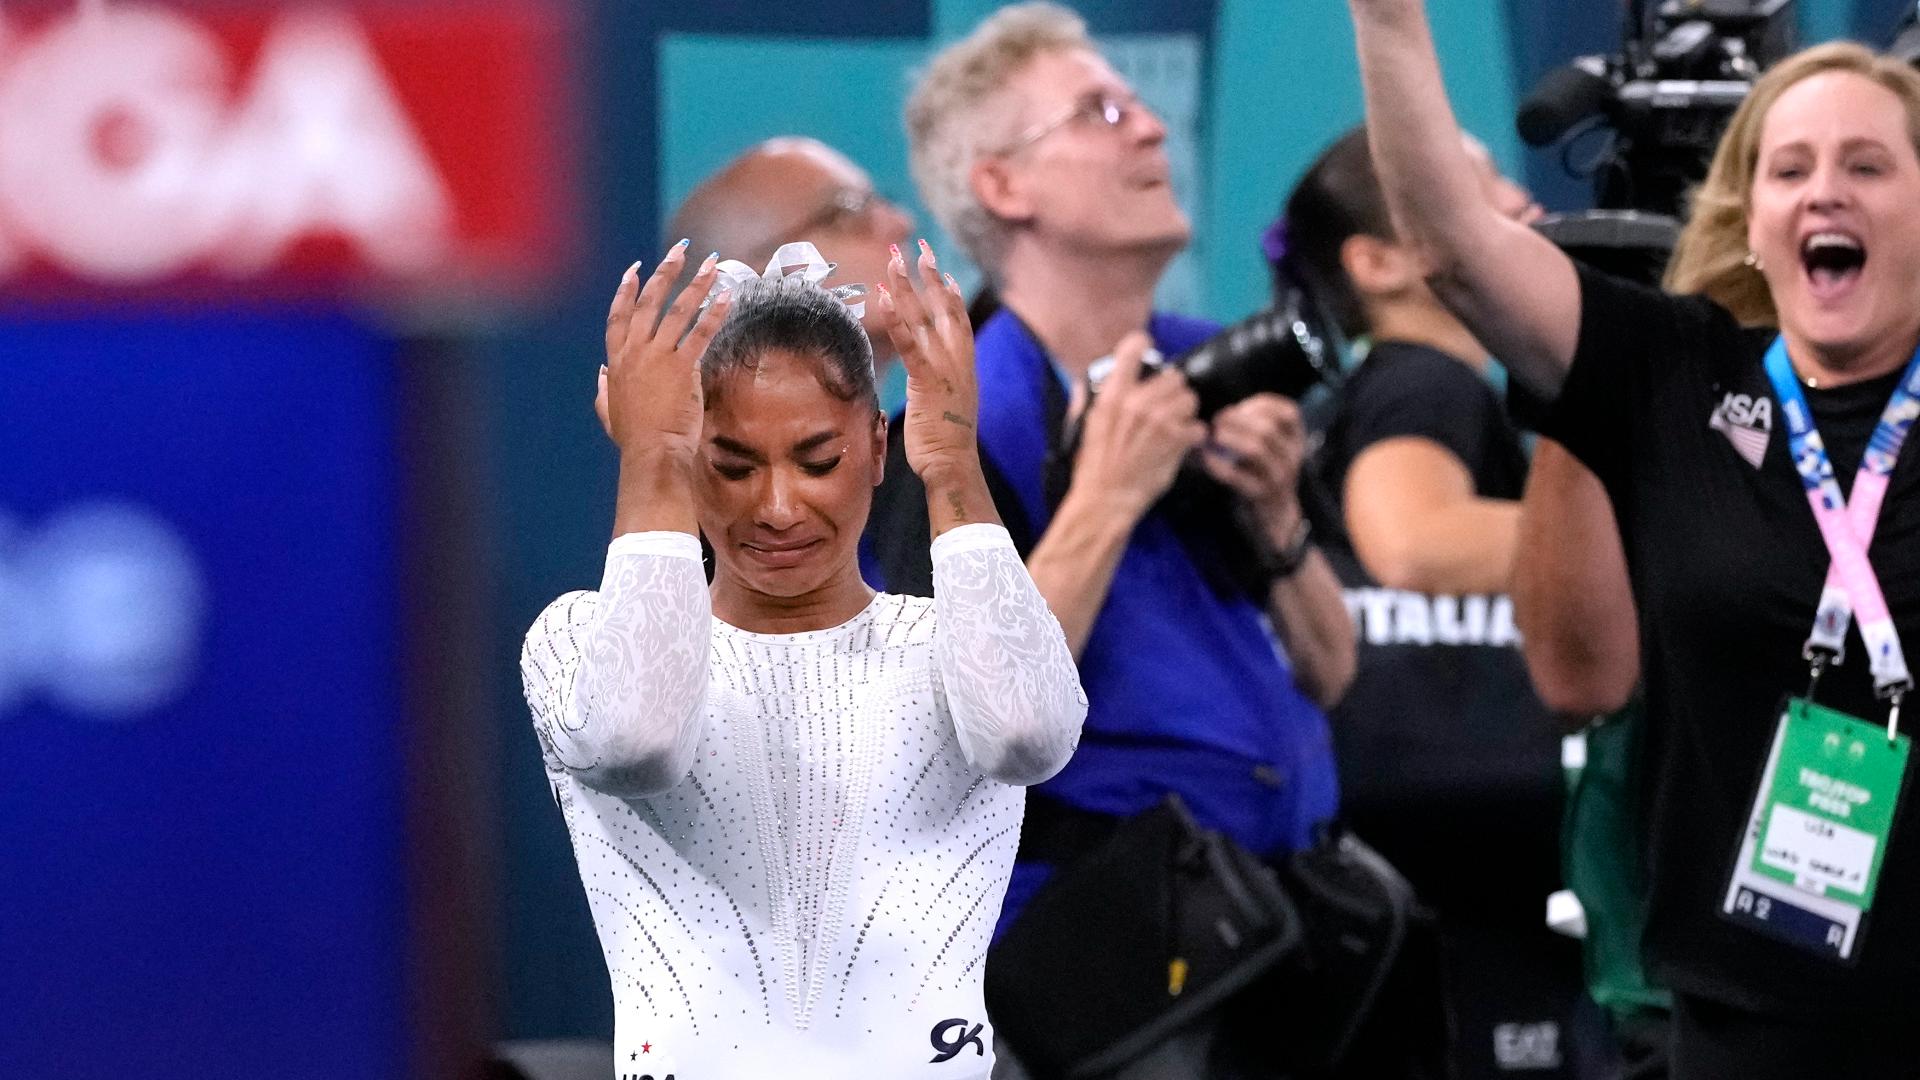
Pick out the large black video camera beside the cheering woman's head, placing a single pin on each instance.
(1666, 97)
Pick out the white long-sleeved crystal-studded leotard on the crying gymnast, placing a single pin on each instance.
(796, 845)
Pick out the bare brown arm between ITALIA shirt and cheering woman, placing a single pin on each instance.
(1572, 597)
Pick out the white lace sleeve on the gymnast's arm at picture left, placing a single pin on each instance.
(619, 681)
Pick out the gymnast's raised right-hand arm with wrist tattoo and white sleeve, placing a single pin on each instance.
(1003, 662)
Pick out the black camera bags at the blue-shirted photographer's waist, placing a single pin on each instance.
(1166, 927)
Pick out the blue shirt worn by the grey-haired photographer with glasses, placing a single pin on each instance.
(1188, 691)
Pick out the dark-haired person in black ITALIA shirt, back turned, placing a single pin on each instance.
(1449, 764)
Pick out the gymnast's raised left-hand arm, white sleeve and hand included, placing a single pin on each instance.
(619, 681)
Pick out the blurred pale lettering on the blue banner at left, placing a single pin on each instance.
(101, 610)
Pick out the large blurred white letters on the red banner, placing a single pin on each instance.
(124, 159)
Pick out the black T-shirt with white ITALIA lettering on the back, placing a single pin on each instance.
(1447, 756)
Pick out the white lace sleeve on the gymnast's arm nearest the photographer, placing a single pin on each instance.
(1003, 660)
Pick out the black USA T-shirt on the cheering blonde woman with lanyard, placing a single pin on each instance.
(1669, 405)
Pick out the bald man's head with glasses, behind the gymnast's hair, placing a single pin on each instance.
(794, 189)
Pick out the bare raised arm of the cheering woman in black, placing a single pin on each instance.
(1514, 289)
